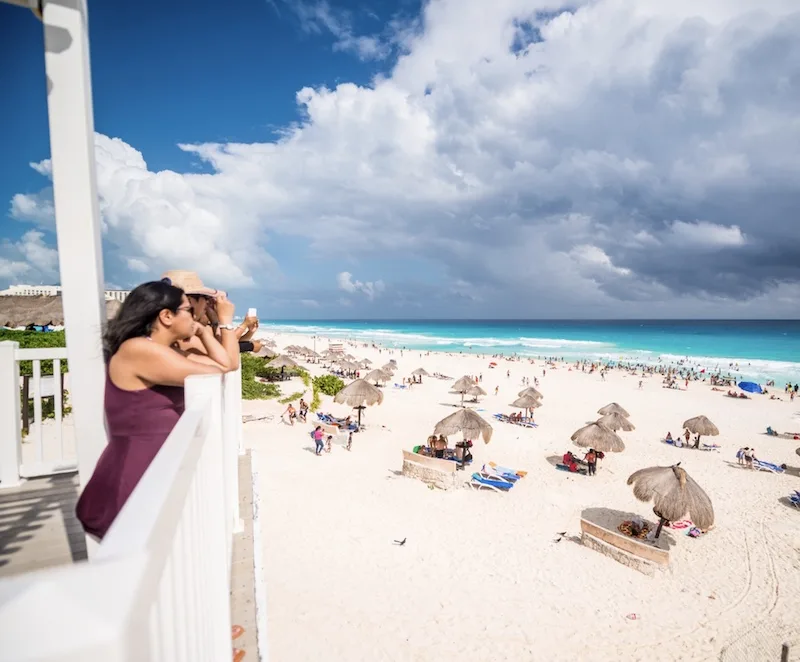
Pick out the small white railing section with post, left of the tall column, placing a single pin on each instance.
(48, 448)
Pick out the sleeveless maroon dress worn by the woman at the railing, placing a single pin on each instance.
(138, 424)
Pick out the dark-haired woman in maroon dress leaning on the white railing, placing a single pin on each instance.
(145, 373)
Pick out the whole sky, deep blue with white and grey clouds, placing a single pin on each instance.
(430, 158)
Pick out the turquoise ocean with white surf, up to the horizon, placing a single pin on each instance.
(756, 350)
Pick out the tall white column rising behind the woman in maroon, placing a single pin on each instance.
(69, 103)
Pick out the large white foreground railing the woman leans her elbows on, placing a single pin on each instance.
(158, 586)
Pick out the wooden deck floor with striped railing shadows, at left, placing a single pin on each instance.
(25, 512)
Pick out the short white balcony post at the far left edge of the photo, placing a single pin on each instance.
(10, 433)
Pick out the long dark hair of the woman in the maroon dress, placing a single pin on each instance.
(138, 313)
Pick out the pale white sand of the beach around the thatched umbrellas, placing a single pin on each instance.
(481, 576)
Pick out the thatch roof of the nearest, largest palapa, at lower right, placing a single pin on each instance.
(674, 494)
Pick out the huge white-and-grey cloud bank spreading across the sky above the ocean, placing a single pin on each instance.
(580, 161)
